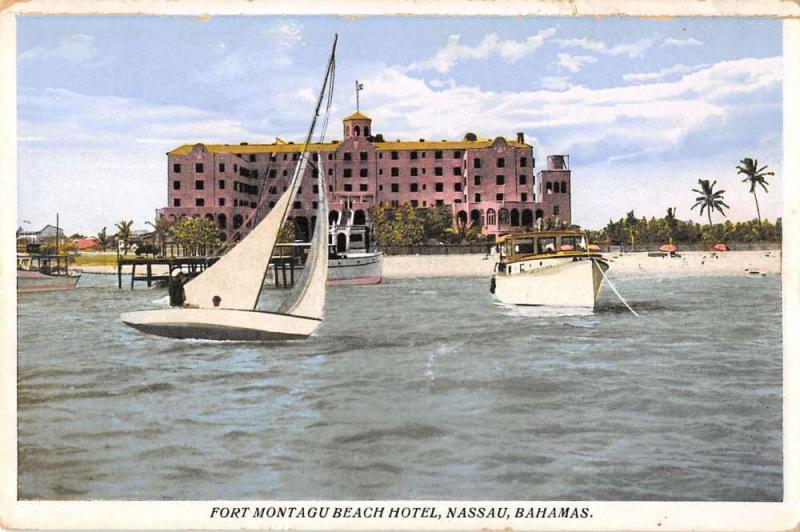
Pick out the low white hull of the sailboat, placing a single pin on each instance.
(221, 324)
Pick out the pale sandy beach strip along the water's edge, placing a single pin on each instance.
(629, 264)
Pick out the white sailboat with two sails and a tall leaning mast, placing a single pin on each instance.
(221, 303)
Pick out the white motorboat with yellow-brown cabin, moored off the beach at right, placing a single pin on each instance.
(549, 268)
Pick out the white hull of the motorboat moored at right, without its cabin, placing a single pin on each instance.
(561, 282)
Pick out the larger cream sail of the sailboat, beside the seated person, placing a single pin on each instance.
(236, 278)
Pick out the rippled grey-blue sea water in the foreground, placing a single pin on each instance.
(414, 389)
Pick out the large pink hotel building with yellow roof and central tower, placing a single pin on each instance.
(488, 181)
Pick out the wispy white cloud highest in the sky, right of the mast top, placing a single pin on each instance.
(491, 45)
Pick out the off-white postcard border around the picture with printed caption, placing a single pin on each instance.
(606, 515)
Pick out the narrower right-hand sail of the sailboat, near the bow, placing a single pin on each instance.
(307, 297)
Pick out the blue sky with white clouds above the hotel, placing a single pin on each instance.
(643, 108)
